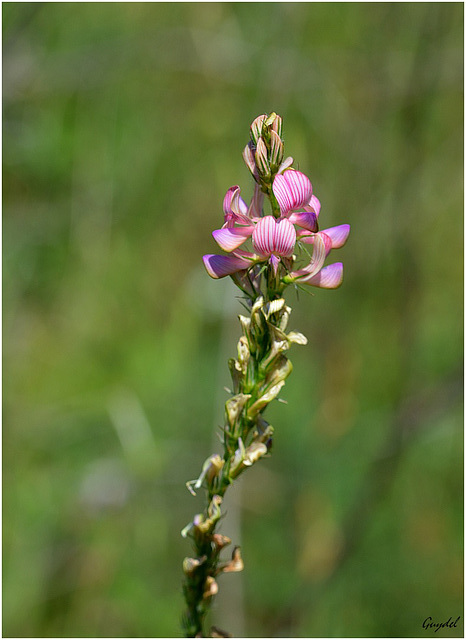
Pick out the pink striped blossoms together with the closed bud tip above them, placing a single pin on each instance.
(293, 223)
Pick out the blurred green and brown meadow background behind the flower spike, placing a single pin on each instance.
(123, 127)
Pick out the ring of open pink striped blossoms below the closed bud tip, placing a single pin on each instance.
(274, 240)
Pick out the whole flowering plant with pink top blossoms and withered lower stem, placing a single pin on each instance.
(264, 253)
